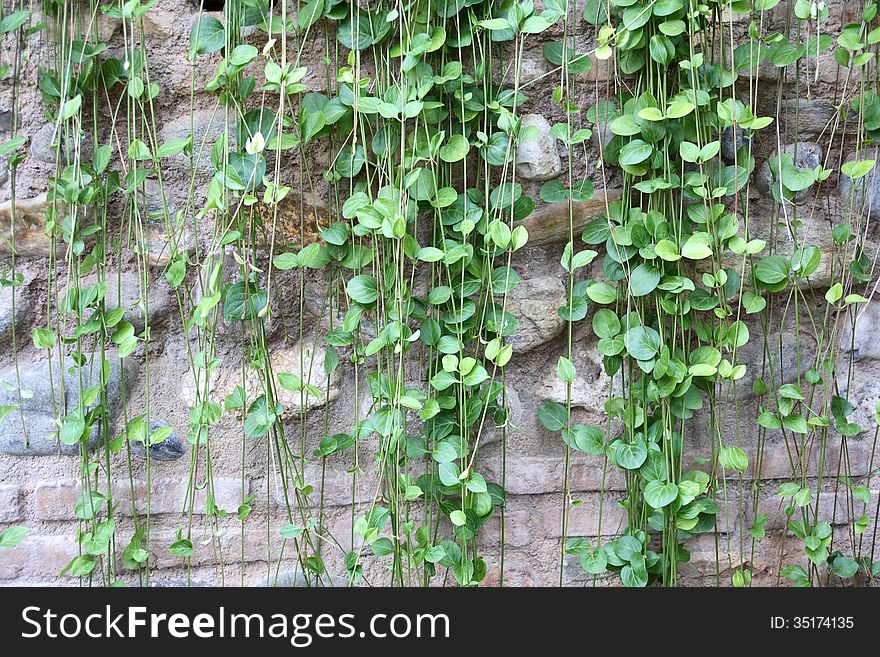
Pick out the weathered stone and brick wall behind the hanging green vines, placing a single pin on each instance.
(40, 480)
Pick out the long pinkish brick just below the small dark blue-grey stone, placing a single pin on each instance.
(56, 500)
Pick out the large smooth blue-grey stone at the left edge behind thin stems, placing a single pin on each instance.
(50, 392)
